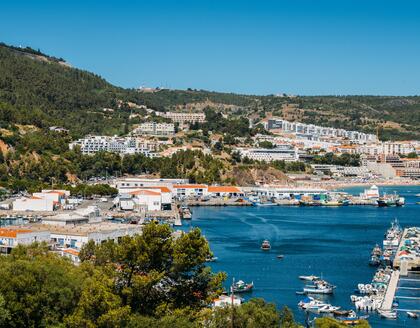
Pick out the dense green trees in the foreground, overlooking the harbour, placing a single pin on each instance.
(149, 280)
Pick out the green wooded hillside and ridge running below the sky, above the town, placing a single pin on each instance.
(42, 90)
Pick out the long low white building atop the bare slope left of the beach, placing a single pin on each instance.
(280, 153)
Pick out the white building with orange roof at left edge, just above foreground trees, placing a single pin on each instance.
(12, 237)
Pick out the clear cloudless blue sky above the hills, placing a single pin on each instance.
(256, 47)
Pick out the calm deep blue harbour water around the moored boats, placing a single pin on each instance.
(332, 242)
